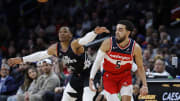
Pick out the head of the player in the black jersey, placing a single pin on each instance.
(65, 34)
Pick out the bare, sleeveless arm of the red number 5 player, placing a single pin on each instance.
(140, 71)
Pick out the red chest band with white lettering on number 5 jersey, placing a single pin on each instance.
(120, 56)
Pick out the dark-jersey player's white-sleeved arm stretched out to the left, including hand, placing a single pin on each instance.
(37, 56)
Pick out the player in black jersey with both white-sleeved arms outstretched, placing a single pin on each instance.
(73, 55)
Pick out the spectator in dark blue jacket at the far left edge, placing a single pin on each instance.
(7, 87)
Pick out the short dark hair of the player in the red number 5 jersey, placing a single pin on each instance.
(129, 25)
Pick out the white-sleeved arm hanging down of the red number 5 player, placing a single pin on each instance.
(105, 47)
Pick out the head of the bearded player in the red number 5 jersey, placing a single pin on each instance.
(123, 30)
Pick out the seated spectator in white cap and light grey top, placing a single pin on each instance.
(46, 82)
